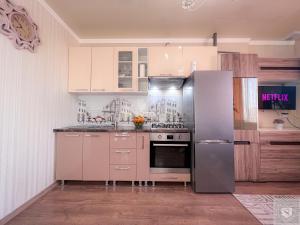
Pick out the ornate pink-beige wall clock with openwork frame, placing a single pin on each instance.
(18, 26)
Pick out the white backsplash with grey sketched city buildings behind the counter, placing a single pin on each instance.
(158, 106)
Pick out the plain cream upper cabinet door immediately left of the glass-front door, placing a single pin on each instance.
(102, 69)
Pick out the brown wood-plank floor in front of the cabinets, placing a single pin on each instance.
(94, 204)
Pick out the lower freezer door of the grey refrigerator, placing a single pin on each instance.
(214, 168)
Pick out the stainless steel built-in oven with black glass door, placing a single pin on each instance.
(170, 152)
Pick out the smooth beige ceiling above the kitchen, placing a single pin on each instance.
(256, 19)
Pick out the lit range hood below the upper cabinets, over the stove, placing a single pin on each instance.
(165, 82)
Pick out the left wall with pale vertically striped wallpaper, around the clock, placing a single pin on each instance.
(33, 100)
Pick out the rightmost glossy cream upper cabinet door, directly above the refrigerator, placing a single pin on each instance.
(205, 57)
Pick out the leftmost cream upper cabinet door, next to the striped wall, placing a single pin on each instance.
(80, 64)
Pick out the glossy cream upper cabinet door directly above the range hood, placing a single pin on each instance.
(166, 61)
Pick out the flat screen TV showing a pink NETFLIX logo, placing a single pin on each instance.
(277, 97)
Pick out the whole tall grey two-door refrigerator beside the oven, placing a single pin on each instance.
(208, 112)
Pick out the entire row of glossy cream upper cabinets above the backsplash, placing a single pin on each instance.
(121, 69)
